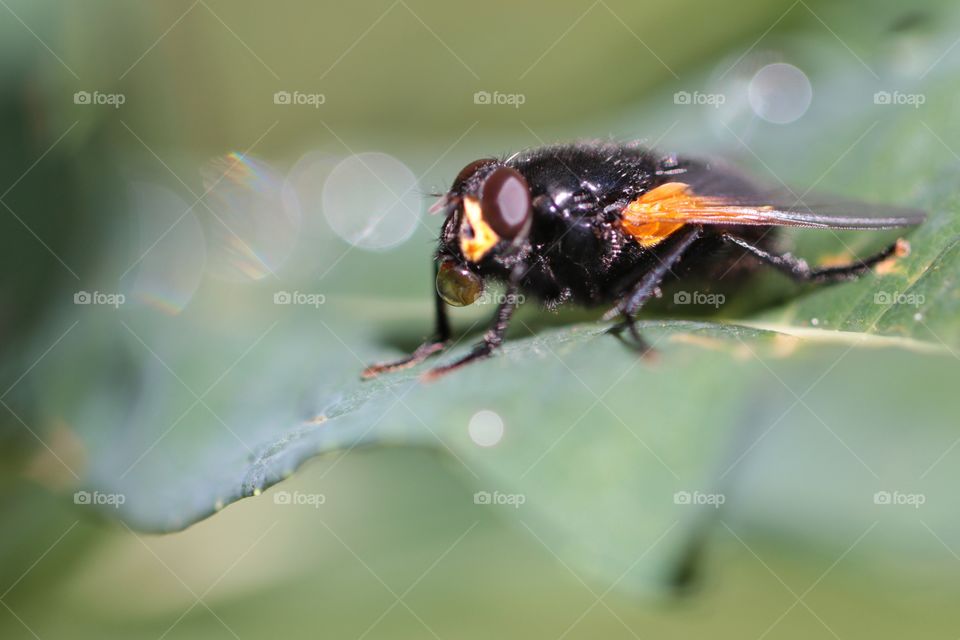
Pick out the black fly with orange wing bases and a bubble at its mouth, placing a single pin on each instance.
(606, 224)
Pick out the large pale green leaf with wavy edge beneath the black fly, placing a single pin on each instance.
(182, 416)
